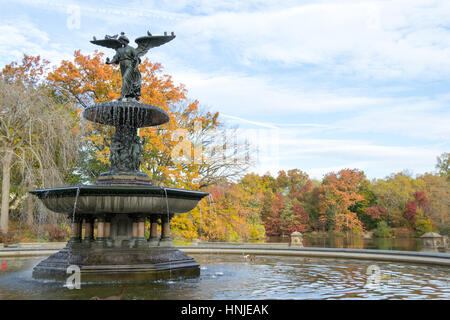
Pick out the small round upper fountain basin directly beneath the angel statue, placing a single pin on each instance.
(126, 113)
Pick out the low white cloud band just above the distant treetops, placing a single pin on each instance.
(314, 156)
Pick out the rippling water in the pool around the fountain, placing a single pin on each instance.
(231, 277)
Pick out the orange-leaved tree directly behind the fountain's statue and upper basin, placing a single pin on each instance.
(88, 80)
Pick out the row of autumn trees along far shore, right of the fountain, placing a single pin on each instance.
(243, 207)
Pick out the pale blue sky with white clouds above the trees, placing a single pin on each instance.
(322, 85)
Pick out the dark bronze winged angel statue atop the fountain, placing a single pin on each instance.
(129, 59)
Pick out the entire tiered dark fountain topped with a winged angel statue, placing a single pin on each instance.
(121, 200)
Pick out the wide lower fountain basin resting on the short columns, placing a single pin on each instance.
(119, 199)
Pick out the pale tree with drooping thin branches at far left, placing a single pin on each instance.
(36, 135)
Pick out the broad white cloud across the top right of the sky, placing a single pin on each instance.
(372, 38)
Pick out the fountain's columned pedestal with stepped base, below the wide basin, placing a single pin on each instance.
(119, 251)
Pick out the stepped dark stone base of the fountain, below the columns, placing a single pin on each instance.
(118, 264)
